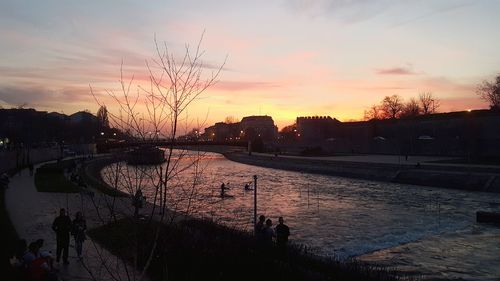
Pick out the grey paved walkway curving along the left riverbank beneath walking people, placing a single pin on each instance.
(33, 212)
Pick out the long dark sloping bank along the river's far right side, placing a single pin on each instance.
(469, 178)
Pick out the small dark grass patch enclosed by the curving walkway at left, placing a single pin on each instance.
(51, 178)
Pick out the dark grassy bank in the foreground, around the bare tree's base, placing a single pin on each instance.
(202, 250)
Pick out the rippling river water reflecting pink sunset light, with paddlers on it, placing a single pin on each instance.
(419, 230)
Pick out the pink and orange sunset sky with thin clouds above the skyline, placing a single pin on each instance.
(284, 58)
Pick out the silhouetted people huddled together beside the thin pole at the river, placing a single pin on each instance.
(266, 234)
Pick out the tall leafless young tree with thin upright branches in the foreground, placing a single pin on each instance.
(155, 113)
